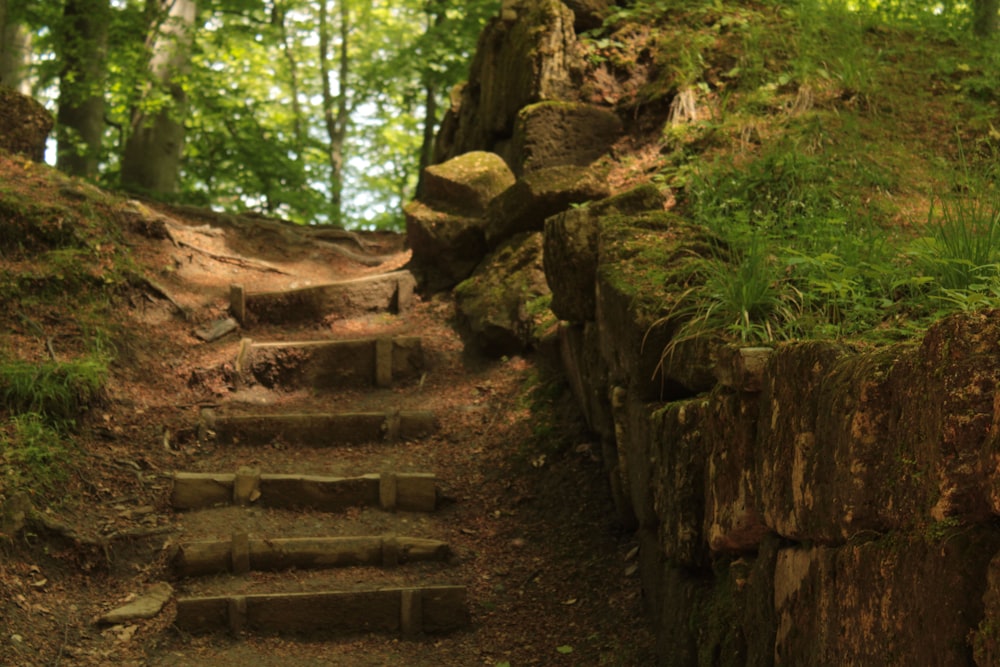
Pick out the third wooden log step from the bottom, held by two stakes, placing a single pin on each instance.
(413, 492)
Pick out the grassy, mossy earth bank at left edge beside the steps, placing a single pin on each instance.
(64, 264)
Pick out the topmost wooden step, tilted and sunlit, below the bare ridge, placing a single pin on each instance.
(392, 292)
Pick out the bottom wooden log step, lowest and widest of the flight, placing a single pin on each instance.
(408, 611)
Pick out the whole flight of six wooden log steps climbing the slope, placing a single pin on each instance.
(271, 550)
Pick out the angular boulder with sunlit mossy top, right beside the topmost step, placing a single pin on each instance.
(446, 228)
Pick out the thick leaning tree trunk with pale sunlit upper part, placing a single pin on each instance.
(152, 157)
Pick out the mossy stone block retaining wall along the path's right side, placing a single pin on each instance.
(811, 504)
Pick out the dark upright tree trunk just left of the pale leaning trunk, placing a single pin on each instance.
(83, 43)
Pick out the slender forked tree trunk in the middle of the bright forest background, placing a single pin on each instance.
(336, 108)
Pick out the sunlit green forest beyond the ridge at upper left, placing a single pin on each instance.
(316, 112)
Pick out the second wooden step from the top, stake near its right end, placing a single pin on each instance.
(332, 364)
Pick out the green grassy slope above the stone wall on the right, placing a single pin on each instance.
(844, 154)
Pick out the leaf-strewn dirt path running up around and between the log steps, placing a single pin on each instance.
(548, 578)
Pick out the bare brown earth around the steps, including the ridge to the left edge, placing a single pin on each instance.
(550, 575)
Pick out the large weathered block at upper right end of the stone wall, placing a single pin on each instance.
(849, 442)
